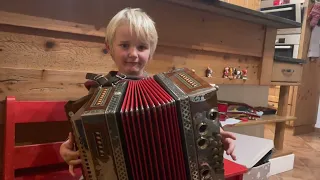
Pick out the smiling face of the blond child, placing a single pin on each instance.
(129, 53)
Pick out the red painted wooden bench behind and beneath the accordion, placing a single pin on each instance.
(43, 161)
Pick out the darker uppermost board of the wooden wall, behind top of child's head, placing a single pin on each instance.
(211, 32)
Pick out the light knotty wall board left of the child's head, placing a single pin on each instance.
(30, 48)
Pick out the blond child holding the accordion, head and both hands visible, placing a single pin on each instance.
(131, 39)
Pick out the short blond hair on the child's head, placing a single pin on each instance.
(139, 22)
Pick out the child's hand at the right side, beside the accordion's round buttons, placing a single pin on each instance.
(228, 143)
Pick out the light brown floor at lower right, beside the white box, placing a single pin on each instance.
(307, 155)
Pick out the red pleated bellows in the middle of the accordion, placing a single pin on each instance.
(151, 132)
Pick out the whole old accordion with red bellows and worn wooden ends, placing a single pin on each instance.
(157, 128)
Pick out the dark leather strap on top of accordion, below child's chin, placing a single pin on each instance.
(112, 78)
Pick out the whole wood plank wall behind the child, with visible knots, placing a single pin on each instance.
(47, 47)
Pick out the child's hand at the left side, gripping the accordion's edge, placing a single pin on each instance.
(68, 154)
